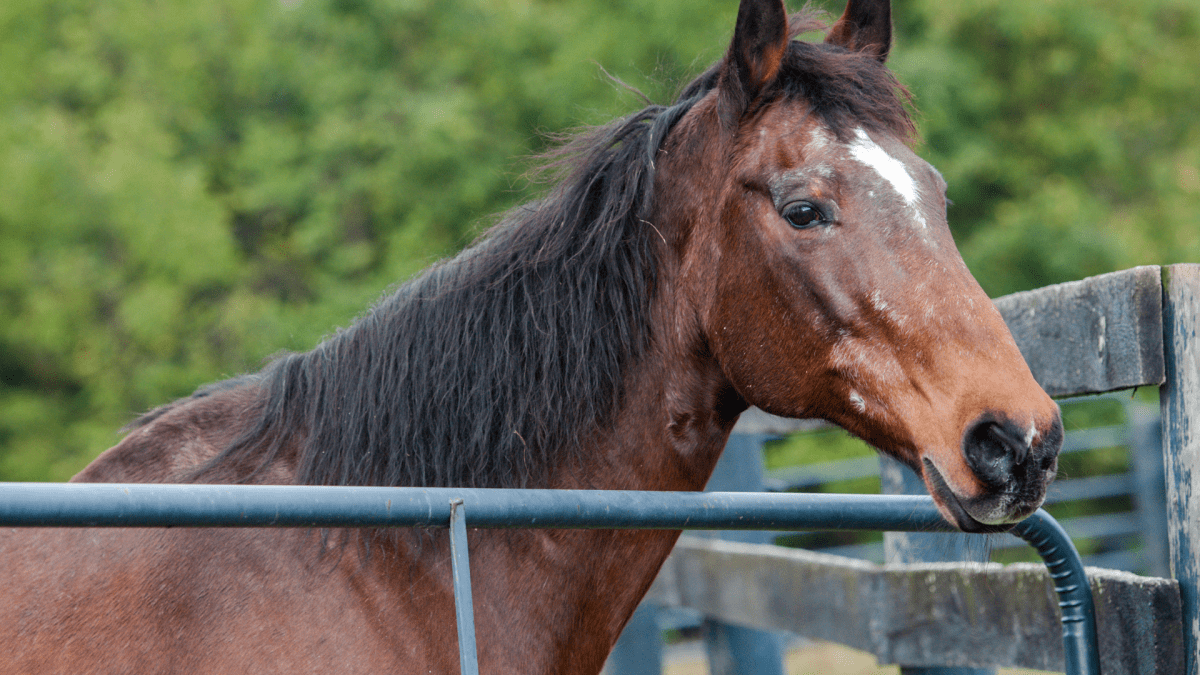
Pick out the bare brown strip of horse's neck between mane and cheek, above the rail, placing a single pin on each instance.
(679, 408)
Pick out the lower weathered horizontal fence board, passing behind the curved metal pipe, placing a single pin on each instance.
(935, 614)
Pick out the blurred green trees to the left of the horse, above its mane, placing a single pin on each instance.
(188, 188)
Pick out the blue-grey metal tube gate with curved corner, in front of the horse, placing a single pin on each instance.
(302, 506)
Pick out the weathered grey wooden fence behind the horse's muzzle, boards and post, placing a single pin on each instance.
(1133, 328)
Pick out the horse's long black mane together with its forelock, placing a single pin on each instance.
(491, 368)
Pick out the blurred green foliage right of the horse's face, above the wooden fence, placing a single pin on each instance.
(1065, 132)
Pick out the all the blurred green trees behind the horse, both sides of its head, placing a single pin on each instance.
(188, 188)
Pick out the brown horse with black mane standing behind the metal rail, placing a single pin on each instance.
(769, 241)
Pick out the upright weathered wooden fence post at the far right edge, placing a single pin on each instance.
(1180, 399)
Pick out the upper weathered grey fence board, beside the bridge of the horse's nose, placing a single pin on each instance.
(1094, 336)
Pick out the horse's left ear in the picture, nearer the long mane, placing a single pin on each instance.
(760, 40)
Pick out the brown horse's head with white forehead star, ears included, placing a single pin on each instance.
(827, 282)
